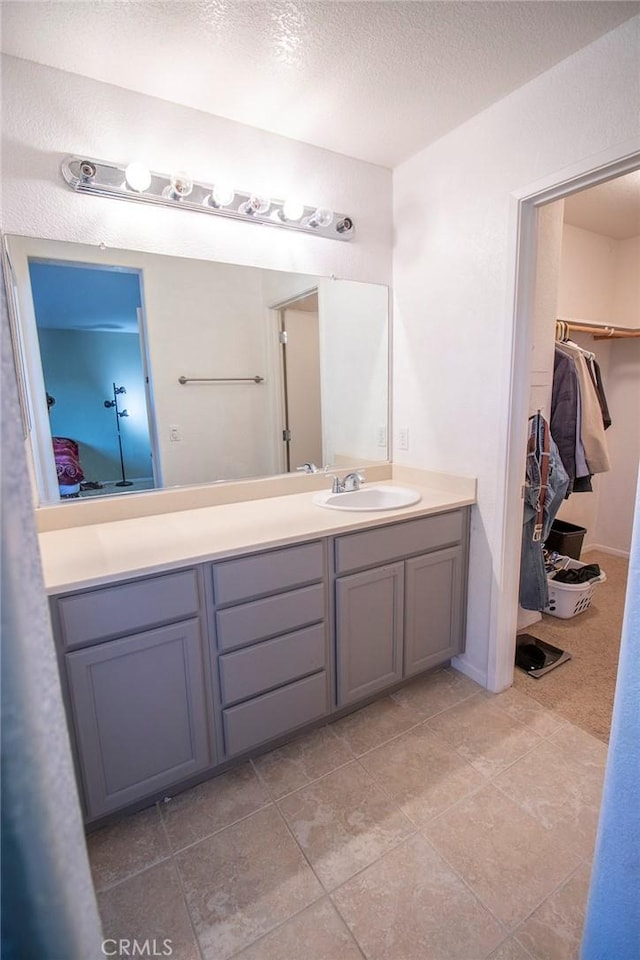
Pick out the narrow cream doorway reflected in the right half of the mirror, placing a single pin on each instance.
(299, 338)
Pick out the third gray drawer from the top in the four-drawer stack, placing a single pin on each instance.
(270, 664)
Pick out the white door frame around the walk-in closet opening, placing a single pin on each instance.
(615, 162)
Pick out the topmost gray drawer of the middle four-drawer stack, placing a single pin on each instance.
(269, 572)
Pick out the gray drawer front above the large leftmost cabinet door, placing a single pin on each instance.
(128, 608)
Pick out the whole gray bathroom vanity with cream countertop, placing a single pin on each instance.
(173, 669)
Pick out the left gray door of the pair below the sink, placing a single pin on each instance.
(369, 631)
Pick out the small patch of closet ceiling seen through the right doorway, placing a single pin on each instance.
(612, 208)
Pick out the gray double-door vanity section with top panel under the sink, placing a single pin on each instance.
(404, 612)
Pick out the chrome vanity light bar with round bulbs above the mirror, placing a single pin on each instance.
(134, 181)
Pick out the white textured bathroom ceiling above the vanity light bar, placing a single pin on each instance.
(373, 80)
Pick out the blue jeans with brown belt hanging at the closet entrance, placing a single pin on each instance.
(545, 489)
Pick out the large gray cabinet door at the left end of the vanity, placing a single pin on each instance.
(139, 713)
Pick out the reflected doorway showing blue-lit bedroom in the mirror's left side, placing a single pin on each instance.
(90, 330)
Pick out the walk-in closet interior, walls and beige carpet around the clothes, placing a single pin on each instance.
(588, 293)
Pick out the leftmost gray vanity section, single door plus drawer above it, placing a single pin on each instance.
(138, 701)
